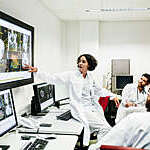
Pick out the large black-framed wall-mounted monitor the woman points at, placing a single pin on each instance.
(16, 50)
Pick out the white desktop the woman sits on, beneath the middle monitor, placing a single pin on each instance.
(71, 126)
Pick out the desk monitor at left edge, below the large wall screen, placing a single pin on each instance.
(8, 119)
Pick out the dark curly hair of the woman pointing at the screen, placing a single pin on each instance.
(92, 62)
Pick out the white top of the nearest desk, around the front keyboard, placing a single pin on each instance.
(62, 142)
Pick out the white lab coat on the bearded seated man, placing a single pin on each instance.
(130, 93)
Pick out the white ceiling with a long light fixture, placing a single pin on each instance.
(76, 9)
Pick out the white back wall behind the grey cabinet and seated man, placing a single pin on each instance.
(115, 40)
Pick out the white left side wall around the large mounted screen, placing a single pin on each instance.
(48, 44)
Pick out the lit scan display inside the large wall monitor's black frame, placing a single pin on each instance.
(15, 51)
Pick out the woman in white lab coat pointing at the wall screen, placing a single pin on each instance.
(83, 94)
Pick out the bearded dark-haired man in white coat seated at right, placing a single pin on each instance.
(133, 97)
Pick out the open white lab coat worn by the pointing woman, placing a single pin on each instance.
(73, 80)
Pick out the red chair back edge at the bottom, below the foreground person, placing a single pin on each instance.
(111, 147)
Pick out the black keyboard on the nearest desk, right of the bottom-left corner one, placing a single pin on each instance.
(38, 144)
